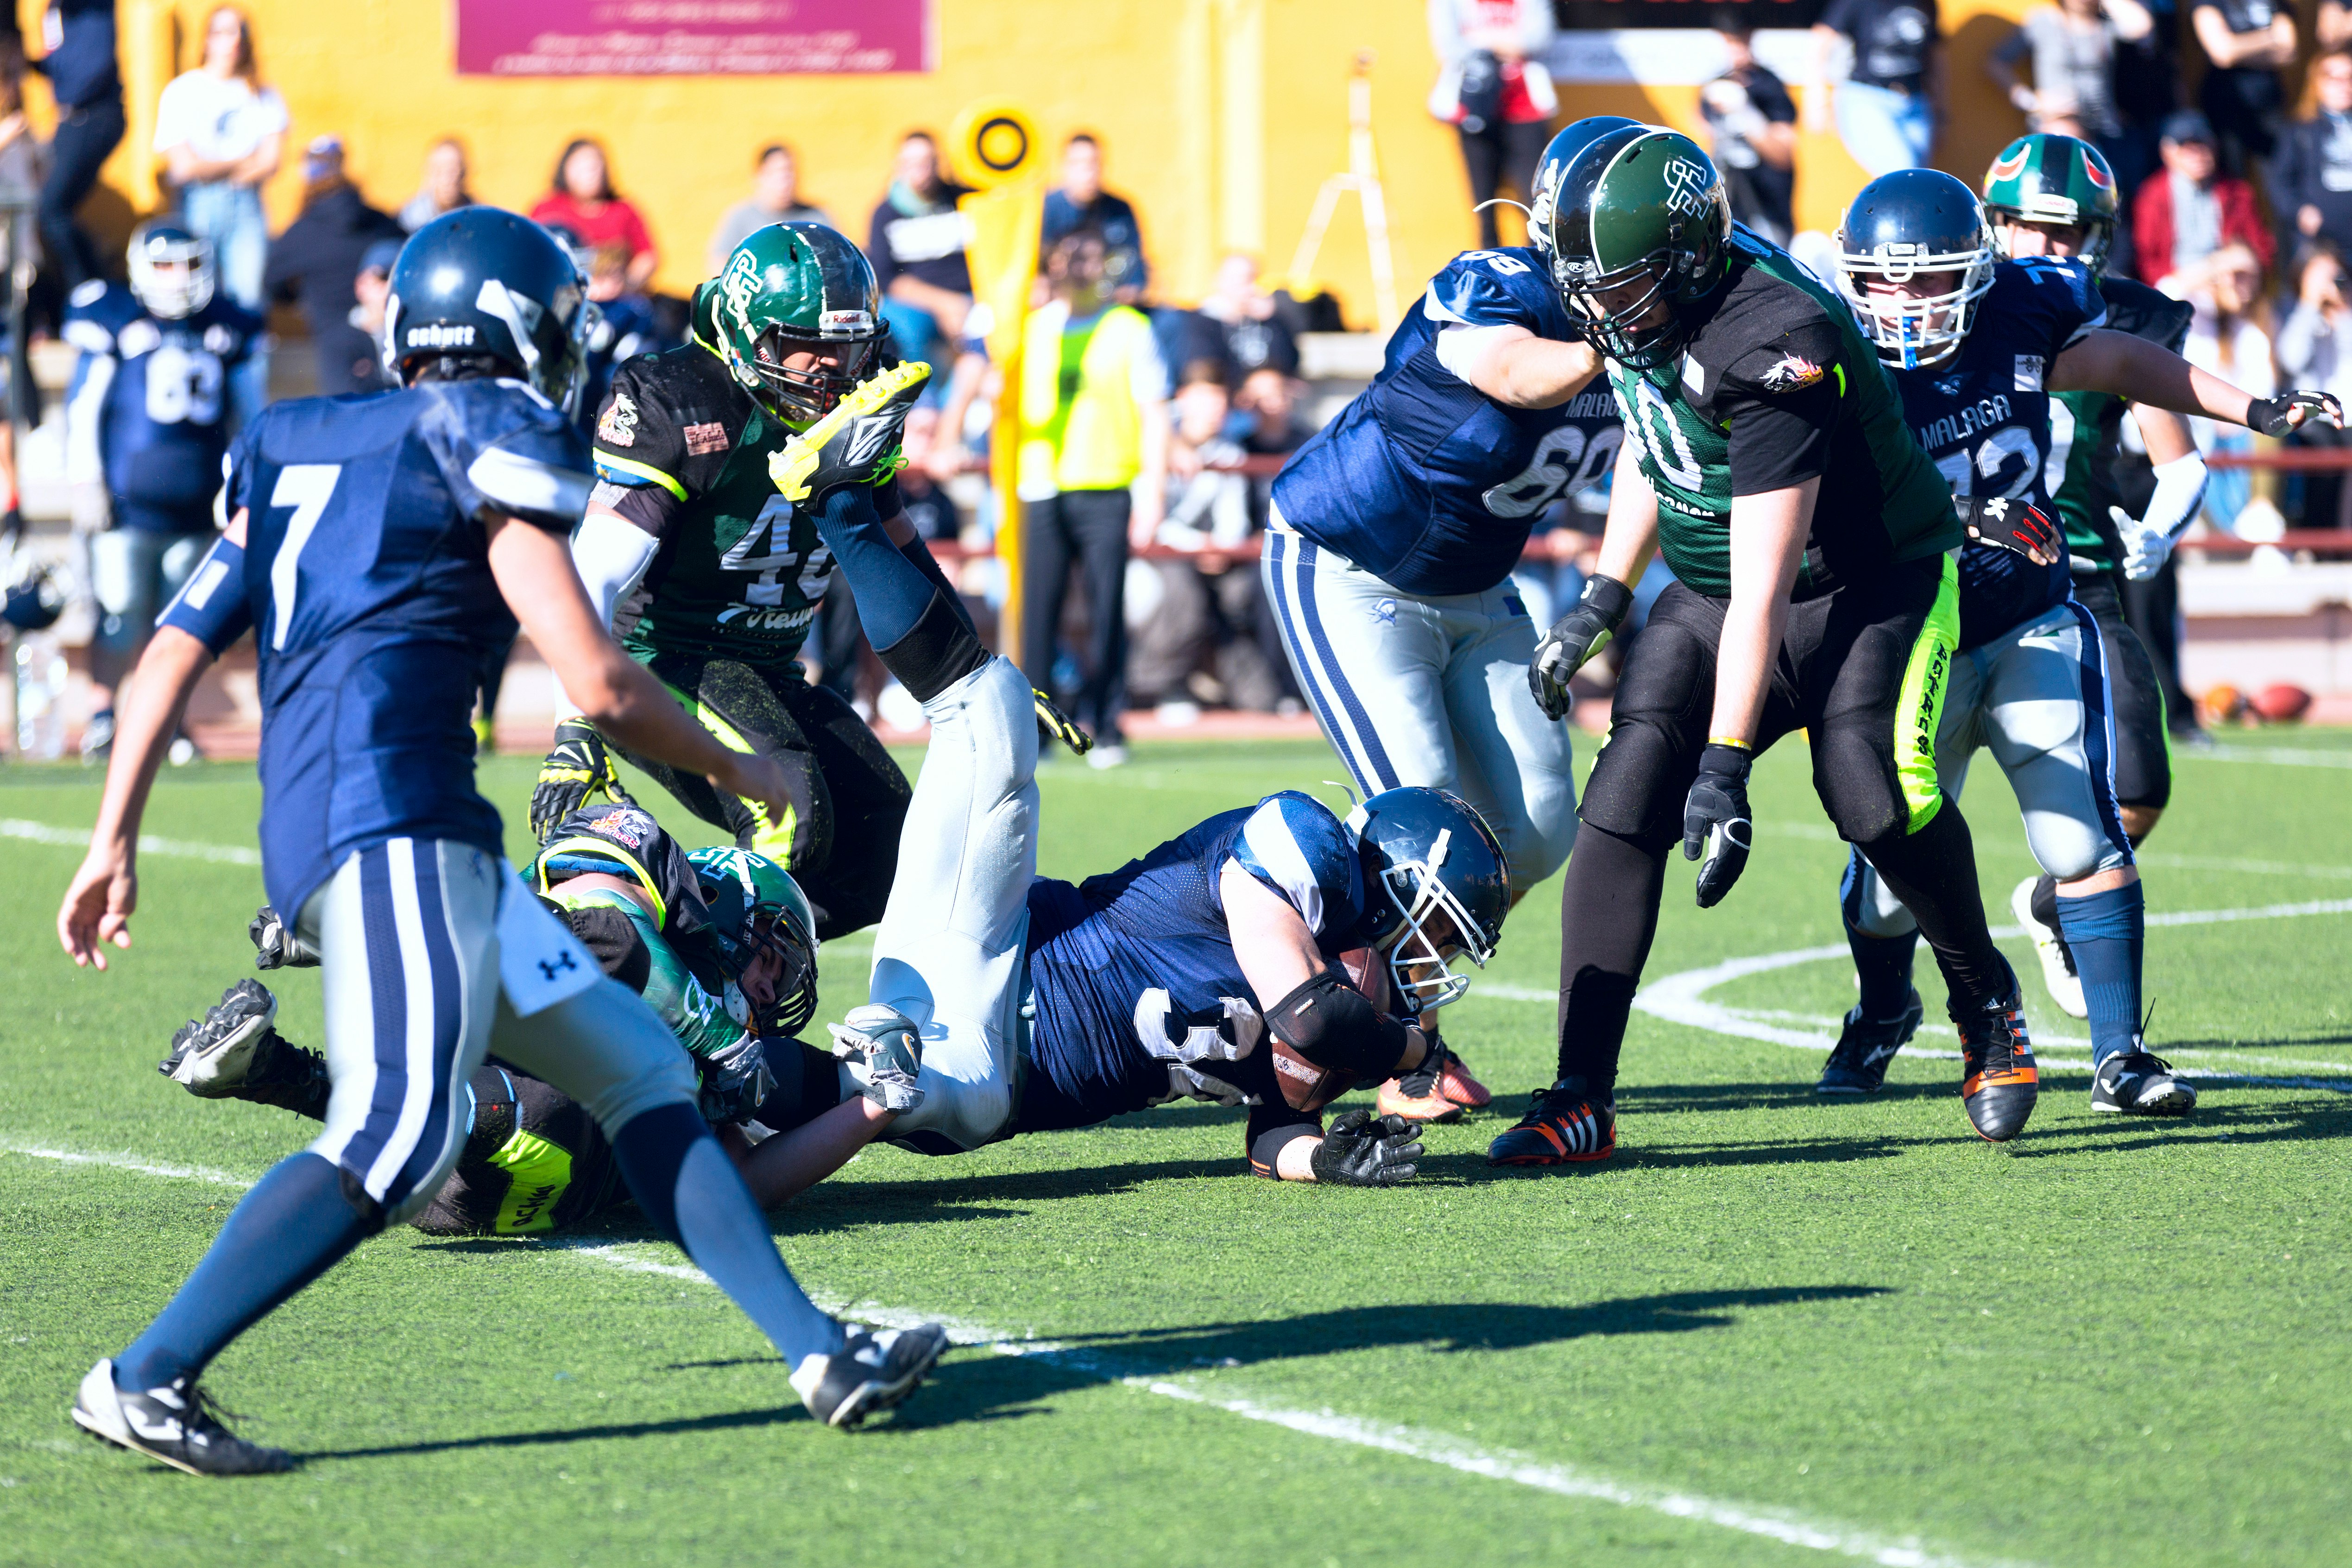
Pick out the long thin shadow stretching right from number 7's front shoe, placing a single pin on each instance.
(996, 1388)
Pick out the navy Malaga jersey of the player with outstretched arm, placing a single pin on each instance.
(1986, 422)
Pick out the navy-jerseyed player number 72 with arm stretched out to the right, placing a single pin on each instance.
(1979, 347)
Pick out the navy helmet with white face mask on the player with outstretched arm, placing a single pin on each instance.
(1916, 225)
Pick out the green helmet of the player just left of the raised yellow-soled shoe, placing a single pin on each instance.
(794, 288)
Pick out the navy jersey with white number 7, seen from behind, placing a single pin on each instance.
(366, 579)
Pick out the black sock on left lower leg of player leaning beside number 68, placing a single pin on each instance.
(1608, 920)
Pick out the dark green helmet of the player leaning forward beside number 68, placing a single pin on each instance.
(1641, 234)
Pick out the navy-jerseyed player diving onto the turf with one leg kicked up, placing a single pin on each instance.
(1001, 1003)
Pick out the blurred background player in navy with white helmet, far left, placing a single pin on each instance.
(147, 424)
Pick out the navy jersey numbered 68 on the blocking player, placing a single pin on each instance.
(1429, 483)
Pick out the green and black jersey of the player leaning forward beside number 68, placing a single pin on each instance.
(1775, 389)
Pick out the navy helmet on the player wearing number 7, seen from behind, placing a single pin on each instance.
(495, 290)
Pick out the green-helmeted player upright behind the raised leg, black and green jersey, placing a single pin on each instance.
(711, 577)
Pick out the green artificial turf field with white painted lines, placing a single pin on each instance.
(1768, 1332)
